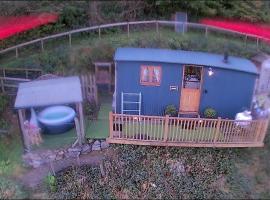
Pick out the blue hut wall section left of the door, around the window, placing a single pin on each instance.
(154, 98)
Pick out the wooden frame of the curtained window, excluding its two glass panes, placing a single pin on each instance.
(151, 74)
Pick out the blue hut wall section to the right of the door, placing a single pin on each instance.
(227, 91)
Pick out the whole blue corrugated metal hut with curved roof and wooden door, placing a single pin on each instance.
(191, 81)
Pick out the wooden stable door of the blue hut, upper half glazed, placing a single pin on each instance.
(191, 89)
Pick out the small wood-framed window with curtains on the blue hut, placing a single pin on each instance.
(150, 75)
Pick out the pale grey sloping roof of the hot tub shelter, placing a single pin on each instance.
(49, 92)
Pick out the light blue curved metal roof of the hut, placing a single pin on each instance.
(185, 57)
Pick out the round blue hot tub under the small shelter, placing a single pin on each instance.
(56, 119)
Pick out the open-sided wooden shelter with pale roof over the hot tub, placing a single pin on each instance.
(42, 93)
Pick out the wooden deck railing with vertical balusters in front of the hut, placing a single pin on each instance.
(194, 132)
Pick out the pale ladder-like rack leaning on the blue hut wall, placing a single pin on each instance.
(125, 102)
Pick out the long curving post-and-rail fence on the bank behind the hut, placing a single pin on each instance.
(127, 26)
